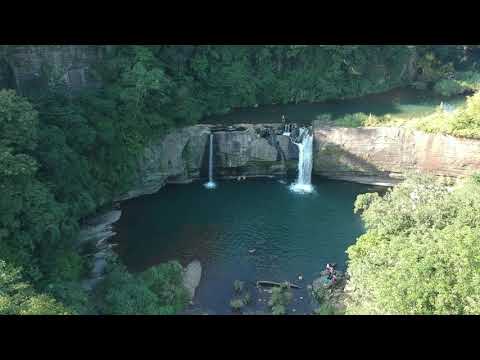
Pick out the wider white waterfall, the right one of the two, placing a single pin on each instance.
(305, 147)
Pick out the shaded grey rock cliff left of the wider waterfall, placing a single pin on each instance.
(182, 156)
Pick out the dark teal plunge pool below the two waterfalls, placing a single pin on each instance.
(292, 234)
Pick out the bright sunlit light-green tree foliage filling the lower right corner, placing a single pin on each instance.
(420, 253)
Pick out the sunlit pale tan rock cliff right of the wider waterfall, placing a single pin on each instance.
(385, 155)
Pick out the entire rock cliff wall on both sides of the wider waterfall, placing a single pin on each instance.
(381, 156)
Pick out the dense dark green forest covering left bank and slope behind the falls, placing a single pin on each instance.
(63, 155)
